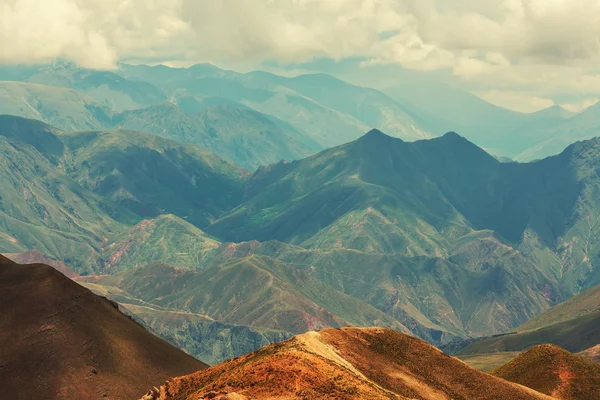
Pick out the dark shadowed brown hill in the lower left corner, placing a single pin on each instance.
(60, 341)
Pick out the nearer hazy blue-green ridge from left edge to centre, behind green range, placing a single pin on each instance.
(229, 129)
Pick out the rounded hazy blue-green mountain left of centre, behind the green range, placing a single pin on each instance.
(238, 134)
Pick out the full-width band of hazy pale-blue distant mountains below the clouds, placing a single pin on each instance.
(293, 117)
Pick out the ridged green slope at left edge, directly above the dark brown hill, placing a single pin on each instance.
(42, 207)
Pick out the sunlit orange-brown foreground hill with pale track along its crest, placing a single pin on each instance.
(344, 364)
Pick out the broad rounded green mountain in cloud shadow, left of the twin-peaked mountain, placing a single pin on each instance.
(151, 175)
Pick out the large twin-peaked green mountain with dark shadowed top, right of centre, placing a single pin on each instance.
(518, 232)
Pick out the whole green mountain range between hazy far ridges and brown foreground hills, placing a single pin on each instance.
(377, 232)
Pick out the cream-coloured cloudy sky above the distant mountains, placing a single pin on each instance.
(522, 54)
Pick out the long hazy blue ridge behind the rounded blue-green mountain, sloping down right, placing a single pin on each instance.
(329, 110)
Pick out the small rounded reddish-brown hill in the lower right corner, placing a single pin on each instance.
(554, 371)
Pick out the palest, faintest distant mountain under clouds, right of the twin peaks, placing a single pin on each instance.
(500, 131)
